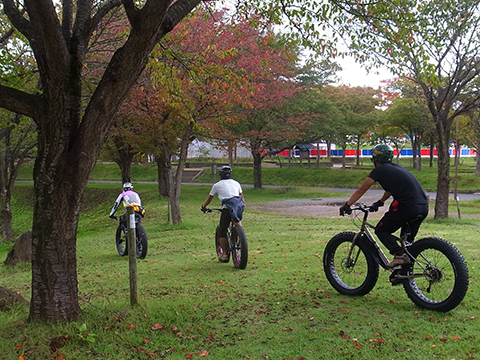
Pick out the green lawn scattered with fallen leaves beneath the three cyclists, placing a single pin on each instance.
(279, 307)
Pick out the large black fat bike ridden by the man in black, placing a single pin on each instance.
(436, 279)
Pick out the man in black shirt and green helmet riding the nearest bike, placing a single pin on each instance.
(409, 201)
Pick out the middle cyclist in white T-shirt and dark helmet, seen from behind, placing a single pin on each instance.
(230, 194)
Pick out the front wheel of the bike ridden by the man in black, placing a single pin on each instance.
(350, 270)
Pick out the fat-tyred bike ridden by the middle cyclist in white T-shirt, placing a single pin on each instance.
(237, 245)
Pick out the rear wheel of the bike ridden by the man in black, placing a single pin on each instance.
(439, 275)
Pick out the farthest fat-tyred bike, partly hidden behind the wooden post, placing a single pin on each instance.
(121, 236)
